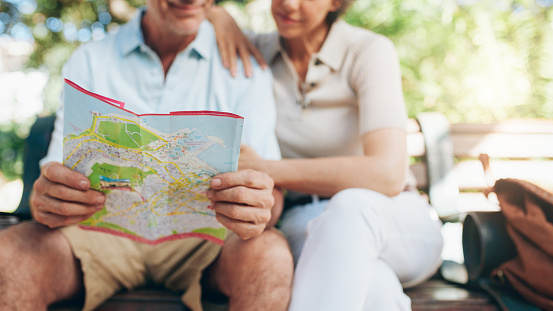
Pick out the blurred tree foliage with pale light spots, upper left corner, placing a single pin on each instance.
(58, 27)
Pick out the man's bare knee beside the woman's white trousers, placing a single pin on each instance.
(255, 274)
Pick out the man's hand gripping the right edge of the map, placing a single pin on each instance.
(242, 201)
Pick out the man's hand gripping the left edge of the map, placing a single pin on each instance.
(61, 197)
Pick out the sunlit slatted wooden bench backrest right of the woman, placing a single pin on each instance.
(521, 148)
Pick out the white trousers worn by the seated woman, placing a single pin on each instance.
(360, 249)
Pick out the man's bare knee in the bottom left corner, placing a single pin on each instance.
(38, 268)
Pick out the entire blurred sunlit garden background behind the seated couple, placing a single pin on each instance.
(473, 60)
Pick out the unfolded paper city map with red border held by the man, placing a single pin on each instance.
(154, 168)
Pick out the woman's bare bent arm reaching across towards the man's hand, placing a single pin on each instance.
(382, 168)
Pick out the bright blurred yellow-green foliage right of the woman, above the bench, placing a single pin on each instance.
(475, 61)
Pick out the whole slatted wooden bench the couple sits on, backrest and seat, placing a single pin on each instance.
(445, 161)
